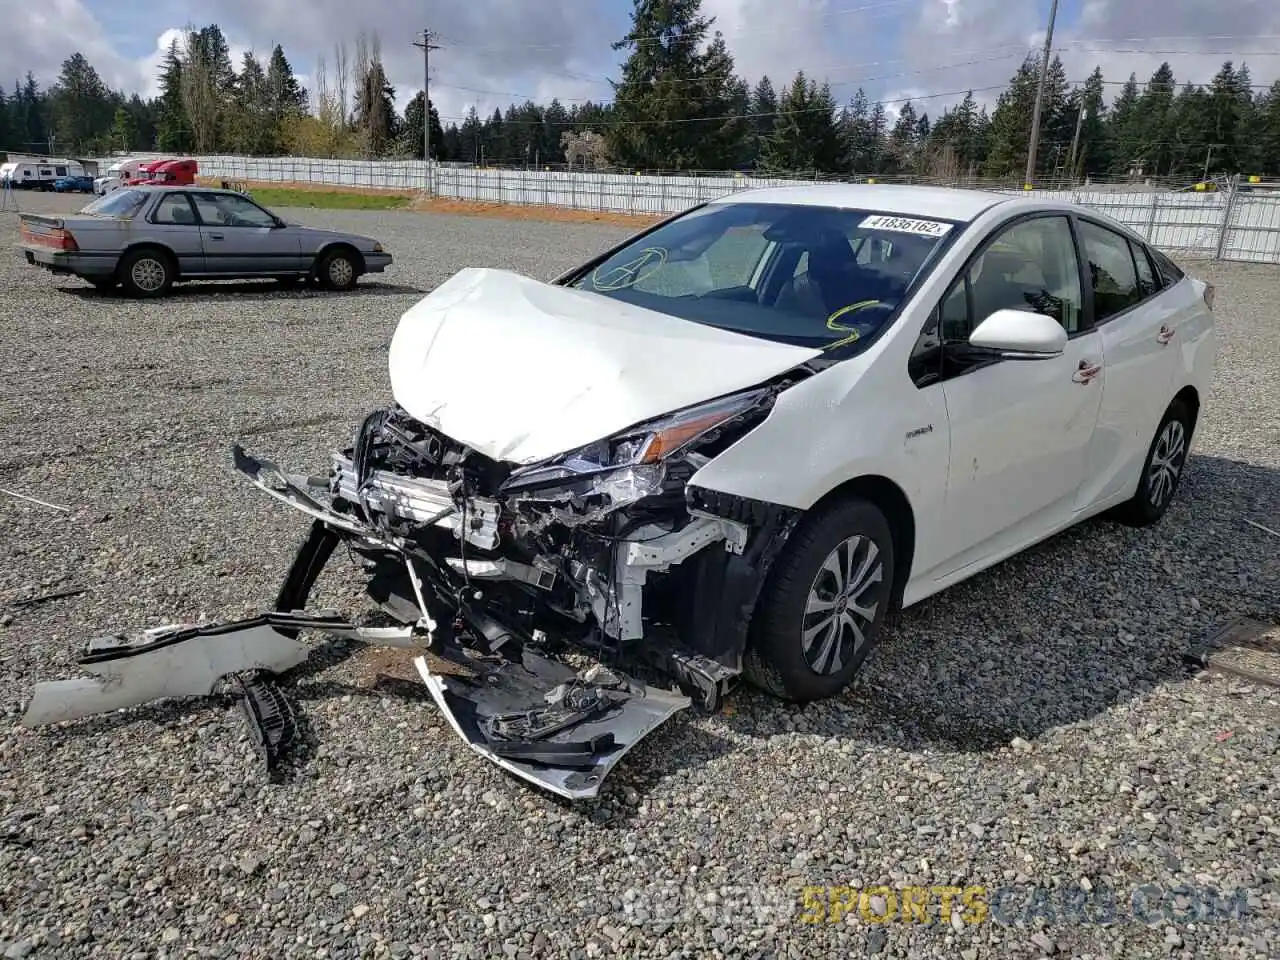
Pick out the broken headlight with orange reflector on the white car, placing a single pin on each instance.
(629, 467)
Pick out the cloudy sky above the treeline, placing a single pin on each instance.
(501, 51)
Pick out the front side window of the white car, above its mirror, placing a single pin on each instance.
(1030, 267)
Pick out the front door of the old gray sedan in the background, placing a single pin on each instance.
(243, 239)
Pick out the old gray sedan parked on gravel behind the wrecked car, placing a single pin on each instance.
(147, 239)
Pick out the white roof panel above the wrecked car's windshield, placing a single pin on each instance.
(943, 203)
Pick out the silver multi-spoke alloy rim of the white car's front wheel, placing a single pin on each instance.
(836, 618)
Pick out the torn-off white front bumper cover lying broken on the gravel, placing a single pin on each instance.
(533, 716)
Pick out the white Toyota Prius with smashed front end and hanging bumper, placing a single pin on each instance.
(726, 449)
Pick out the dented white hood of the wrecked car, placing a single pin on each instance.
(523, 371)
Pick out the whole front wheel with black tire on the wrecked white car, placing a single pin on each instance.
(824, 607)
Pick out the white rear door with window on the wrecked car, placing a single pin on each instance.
(1139, 324)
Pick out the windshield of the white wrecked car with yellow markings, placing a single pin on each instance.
(808, 276)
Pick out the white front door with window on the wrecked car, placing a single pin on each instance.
(1021, 429)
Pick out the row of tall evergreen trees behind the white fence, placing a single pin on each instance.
(679, 106)
